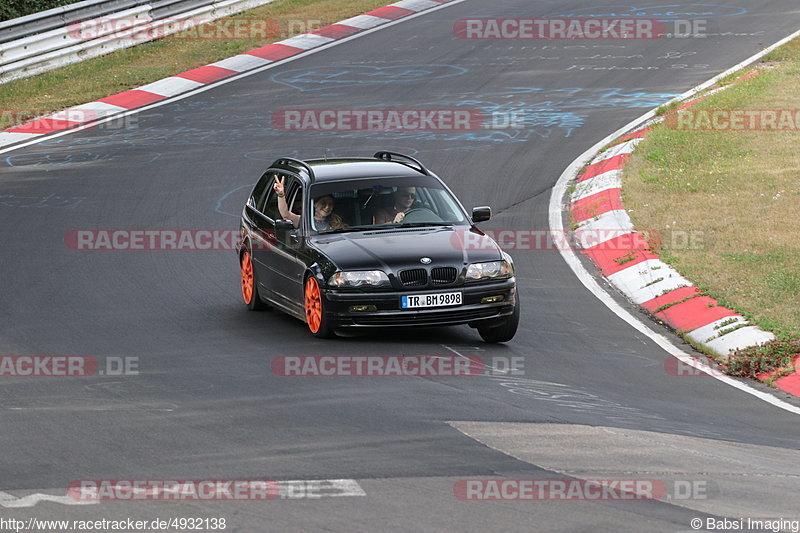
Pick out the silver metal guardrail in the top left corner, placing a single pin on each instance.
(43, 41)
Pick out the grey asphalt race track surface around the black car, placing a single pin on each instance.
(205, 403)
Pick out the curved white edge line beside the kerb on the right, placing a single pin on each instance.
(588, 280)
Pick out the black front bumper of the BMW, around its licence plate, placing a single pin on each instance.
(388, 312)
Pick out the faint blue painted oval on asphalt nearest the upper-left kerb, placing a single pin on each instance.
(319, 78)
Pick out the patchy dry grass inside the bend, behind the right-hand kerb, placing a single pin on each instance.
(740, 190)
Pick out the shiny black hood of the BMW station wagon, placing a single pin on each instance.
(393, 250)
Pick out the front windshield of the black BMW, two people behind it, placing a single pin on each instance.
(359, 204)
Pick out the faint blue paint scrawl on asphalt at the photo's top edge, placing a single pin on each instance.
(663, 12)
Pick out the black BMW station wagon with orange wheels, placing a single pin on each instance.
(369, 243)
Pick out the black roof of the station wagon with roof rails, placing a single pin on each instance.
(382, 165)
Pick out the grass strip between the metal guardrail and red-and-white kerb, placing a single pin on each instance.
(154, 60)
